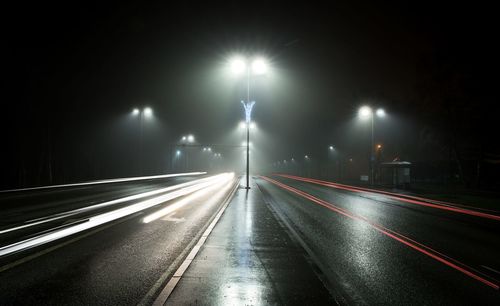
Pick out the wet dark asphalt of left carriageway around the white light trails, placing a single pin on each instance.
(120, 263)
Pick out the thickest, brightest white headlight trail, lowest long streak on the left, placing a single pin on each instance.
(105, 217)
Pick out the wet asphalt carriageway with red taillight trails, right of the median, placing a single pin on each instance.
(368, 266)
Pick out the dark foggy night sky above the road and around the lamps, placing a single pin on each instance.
(75, 71)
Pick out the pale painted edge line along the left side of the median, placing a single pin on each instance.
(169, 288)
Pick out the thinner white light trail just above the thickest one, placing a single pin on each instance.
(100, 205)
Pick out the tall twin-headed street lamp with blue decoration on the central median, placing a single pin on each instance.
(257, 66)
